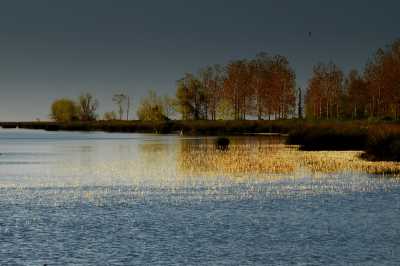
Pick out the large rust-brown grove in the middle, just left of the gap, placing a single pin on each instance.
(263, 87)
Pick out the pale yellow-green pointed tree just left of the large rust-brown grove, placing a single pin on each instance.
(151, 108)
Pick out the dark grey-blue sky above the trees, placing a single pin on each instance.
(51, 49)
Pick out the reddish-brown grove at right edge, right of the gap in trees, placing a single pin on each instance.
(374, 93)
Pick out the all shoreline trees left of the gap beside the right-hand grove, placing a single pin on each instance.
(263, 87)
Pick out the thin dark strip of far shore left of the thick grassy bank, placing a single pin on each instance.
(199, 127)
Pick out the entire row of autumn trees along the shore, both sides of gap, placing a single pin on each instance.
(263, 87)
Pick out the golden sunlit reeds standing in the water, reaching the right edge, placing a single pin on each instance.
(276, 159)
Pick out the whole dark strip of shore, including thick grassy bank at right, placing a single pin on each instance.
(379, 139)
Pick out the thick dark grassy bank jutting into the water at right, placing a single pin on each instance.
(380, 141)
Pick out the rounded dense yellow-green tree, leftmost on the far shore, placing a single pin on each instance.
(64, 110)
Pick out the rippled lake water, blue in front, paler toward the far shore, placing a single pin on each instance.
(130, 199)
